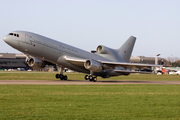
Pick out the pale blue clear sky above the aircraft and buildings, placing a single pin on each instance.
(88, 23)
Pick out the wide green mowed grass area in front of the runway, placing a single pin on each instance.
(89, 102)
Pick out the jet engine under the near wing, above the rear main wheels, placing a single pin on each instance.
(93, 65)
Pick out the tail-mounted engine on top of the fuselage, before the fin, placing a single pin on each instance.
(104, 50)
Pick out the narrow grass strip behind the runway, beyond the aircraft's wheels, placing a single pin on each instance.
(80, 76)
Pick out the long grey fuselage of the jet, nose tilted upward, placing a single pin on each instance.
(53, 51)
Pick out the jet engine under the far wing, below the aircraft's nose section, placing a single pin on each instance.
(36, 63)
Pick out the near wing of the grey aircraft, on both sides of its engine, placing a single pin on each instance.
(81, 61)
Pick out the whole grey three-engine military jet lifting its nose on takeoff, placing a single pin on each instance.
(105, 62)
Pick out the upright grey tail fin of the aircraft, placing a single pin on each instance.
(126, 49)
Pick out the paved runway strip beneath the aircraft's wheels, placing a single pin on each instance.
(80, 82)
